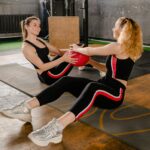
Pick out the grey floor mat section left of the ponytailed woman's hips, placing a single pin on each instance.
(20, 78)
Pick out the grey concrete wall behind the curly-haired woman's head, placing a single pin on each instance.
(103, 14)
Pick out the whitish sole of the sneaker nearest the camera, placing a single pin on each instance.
(55, 140)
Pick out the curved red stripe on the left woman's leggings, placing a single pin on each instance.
(60, 74)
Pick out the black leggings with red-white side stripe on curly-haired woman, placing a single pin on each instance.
(105, 93)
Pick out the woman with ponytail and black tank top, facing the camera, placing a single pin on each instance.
(36, 51)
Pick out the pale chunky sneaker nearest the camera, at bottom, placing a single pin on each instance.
(50, 133)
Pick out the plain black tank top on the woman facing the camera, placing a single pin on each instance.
(41, 52)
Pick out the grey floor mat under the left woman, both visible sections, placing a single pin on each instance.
(26, 80)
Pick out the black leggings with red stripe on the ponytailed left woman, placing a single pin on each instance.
(52, 75)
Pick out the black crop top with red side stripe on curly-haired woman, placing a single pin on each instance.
(119, 68)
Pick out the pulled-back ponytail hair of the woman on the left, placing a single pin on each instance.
(27, 21)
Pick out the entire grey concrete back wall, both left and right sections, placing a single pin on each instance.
(102, 14)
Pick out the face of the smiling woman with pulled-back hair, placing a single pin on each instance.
(34, 27)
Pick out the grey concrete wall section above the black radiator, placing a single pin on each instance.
(19, 7)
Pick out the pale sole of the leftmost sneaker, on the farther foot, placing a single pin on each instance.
(26, 118)
